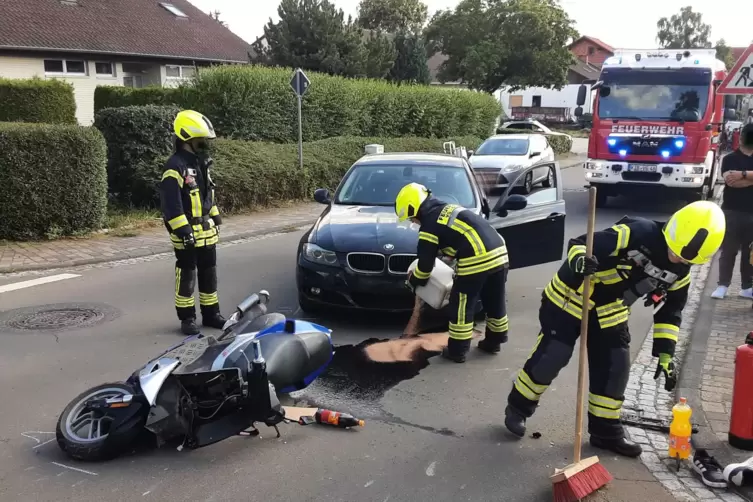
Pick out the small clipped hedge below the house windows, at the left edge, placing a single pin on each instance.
(37, 100)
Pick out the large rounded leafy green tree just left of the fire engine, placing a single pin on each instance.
(495, 43)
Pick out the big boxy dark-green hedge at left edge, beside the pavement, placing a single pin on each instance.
(54, 177)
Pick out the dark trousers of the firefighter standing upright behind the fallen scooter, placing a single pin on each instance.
(188, 262)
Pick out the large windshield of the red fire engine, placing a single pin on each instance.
(654, 94)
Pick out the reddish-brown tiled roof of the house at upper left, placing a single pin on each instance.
(122, 27)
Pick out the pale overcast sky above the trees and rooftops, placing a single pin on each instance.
(620, 23)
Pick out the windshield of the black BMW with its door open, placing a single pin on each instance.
(378, 184)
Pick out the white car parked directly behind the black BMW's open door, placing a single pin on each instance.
(500, 159)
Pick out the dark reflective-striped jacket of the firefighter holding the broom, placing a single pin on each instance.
(633, 264)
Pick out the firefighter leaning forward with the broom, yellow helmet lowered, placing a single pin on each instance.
(636, 258)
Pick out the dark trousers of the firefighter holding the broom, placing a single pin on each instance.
(608, 368)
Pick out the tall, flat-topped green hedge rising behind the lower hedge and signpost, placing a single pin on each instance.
(256, 103)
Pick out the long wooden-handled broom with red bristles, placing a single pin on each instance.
(583, 476)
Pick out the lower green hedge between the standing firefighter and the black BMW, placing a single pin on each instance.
(254, 174)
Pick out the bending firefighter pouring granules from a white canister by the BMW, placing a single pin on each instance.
(482, 264)
